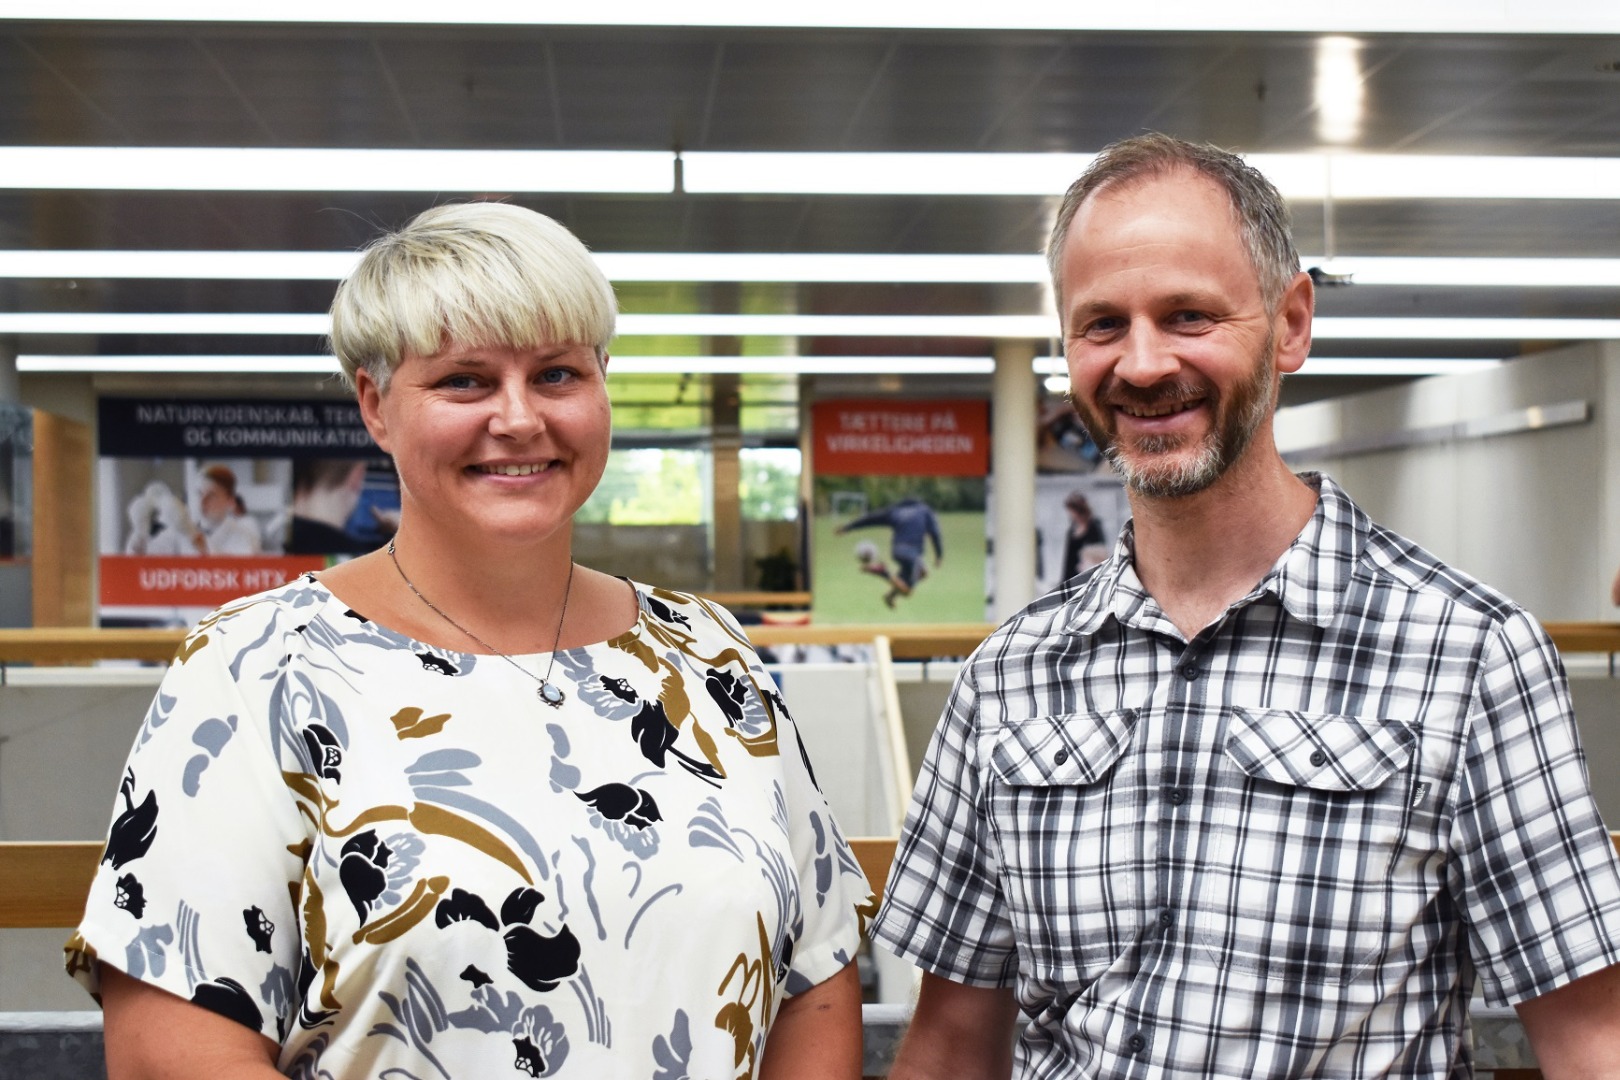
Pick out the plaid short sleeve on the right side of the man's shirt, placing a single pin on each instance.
(1537, 872)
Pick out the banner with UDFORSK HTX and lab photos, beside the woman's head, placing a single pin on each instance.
(208, 500)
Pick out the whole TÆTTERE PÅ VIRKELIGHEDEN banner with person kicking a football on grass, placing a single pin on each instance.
(898, 532)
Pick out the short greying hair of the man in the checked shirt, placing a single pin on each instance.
(1261, 211)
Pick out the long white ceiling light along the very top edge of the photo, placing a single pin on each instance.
(1550, 17)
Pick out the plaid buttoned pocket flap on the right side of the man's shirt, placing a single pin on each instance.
(1319, 750)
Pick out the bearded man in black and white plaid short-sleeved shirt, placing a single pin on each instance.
(1268, 793)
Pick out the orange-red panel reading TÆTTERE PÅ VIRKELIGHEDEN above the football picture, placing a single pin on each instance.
(887, 438)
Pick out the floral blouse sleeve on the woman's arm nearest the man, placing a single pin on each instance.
(835, 898)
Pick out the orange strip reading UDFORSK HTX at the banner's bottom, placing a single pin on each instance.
(195, 580)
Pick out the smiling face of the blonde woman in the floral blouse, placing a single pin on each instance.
(495, 443)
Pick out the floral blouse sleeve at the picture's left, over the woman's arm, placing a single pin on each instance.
(205, 856)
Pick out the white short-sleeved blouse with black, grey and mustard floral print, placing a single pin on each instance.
(398, 862)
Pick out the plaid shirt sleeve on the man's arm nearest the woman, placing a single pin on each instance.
(944, 908)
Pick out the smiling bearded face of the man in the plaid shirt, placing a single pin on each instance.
(1170, 349)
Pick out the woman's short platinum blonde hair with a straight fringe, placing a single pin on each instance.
(469, 274)
